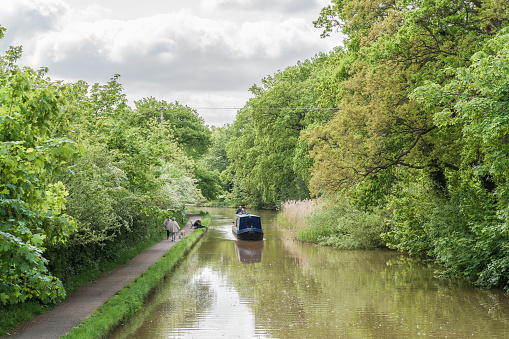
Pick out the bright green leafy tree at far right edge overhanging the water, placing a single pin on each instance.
(476, 100)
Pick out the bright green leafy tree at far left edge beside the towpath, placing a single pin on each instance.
(31, 207)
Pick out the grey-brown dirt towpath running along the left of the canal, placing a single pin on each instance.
(78, 306)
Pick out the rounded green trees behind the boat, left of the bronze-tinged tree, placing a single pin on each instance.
(268, 161)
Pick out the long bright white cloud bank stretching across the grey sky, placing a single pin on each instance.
(160, 38)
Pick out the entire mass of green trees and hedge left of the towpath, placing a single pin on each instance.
(129, 173)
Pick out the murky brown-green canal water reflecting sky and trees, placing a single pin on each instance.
(280, 288)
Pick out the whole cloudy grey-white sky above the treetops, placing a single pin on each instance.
(205, 54)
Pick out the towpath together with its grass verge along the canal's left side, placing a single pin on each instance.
(129, 284)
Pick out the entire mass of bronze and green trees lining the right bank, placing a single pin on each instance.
(420, 131)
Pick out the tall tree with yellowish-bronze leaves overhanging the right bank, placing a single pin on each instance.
(401, 45)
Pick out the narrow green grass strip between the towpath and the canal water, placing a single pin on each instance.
(130, 299)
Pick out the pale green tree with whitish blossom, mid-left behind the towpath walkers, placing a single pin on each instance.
(127, 168)
